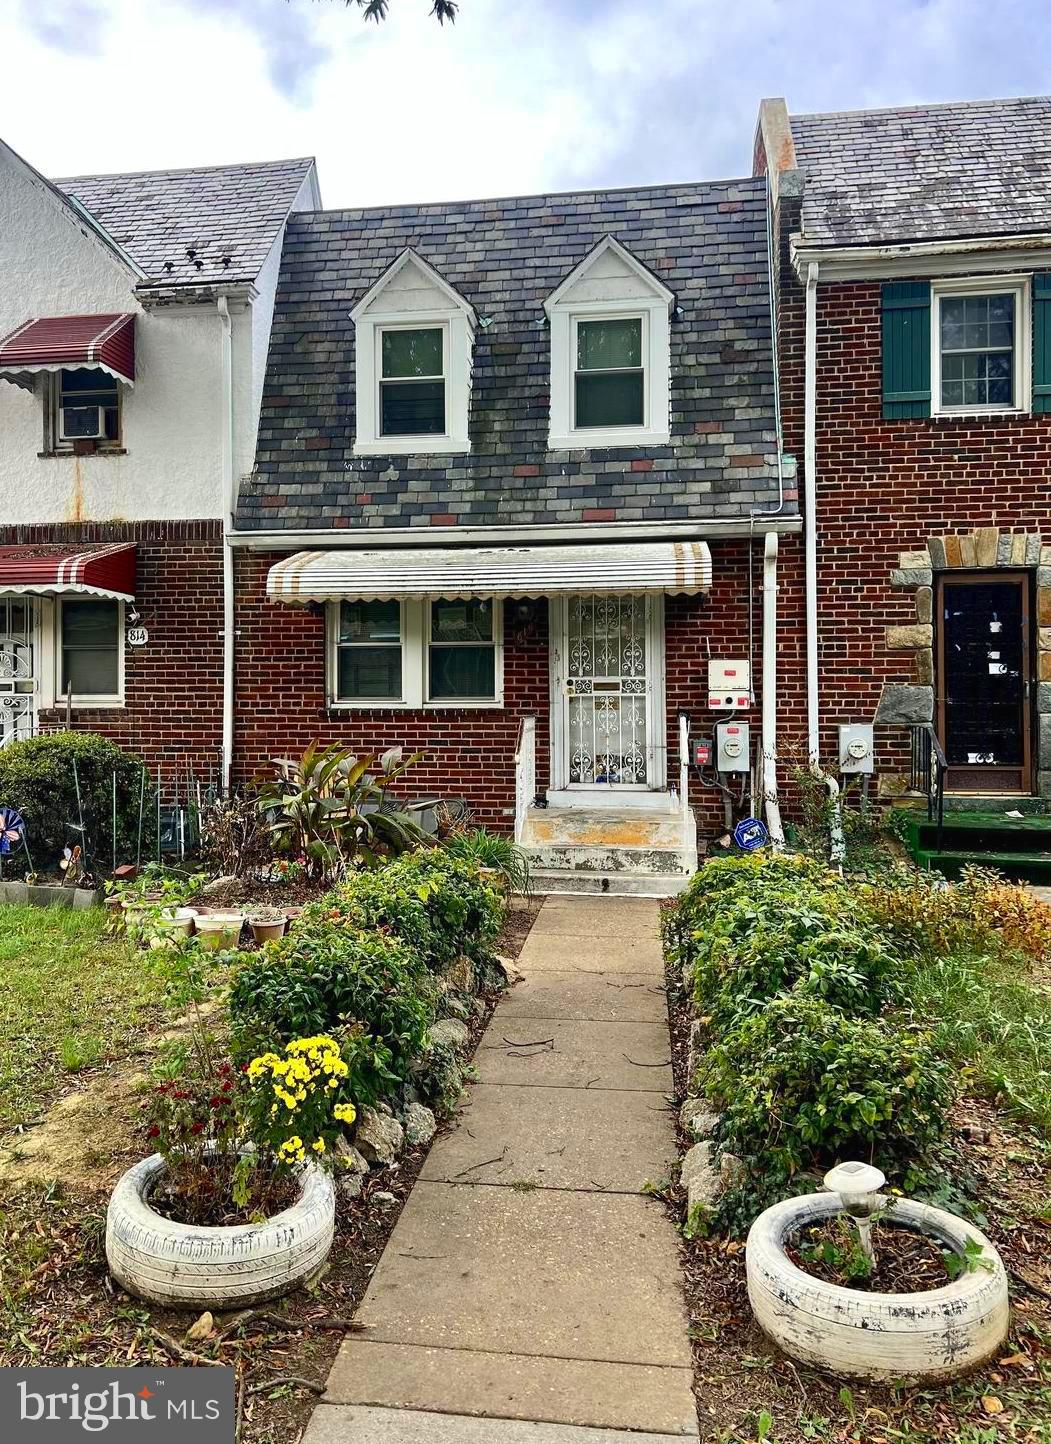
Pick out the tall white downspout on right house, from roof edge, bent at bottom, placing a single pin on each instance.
(838, 847)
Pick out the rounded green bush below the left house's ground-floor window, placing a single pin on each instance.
(37, 778)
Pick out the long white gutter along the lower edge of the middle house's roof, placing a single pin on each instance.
(717, 529)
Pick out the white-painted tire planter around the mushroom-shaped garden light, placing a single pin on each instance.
(933, 1335)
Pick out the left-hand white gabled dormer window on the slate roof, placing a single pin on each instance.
(414, 342)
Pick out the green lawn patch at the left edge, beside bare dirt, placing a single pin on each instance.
(70, 999)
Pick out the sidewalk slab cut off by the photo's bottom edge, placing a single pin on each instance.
(344, 1425)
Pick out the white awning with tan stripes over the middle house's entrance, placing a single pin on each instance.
(525, 571)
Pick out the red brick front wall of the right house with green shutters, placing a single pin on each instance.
(883, 489)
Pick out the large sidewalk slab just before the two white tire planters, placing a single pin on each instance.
(574, 1276)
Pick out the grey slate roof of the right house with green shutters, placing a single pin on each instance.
(926, 173)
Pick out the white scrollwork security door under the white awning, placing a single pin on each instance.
(607, 685)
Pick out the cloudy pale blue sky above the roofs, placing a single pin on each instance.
(518, 97)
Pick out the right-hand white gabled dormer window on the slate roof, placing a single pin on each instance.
(610, 353)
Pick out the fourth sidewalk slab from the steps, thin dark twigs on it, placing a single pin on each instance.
(632, 1056)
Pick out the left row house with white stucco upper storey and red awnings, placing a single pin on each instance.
(135, 318)
